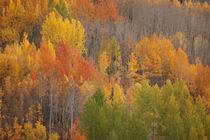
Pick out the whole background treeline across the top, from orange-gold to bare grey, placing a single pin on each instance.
(128, 20)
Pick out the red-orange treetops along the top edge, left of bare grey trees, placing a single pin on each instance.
(104, 11)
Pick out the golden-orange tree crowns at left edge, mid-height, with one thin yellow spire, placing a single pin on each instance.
(17, 60)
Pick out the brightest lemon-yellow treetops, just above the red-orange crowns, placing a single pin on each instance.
(56, 30)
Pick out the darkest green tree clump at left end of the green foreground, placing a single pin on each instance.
(112, 120)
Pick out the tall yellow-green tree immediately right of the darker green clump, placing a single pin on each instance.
(146, 111)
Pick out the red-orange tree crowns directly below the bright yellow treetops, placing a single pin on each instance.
(71, 63)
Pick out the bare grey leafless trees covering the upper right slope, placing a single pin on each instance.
(144, 18)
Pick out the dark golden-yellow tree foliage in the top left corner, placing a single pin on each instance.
(13, 21)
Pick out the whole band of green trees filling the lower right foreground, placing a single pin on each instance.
(167, 113)
